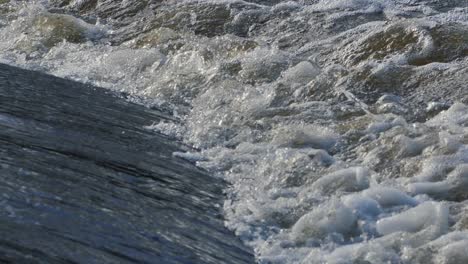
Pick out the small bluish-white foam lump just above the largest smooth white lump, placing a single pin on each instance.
(388, 197)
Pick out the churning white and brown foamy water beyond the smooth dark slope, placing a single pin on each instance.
(340, 125)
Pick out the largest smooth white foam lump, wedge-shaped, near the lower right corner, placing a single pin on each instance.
(416, 219)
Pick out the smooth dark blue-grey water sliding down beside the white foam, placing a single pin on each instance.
(82, 181)
